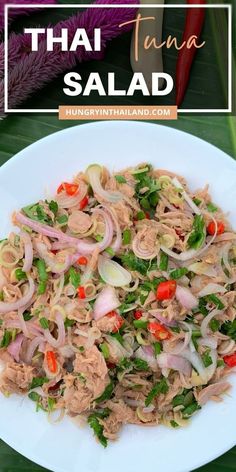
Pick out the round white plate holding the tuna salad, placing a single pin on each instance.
(24, 179)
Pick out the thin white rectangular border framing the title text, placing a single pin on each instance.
(35, 5)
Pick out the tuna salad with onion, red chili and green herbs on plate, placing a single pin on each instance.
(118, 302)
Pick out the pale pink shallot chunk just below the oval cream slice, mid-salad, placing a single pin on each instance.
(106, 301)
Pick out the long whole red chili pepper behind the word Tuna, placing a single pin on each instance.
(193, 26)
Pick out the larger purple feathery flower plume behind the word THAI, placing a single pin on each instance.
(35, 69)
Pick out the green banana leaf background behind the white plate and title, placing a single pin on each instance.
(19, 131)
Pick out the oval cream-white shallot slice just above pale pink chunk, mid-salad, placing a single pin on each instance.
(113, 273)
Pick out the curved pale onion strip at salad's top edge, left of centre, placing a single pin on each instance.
(94, 173)
